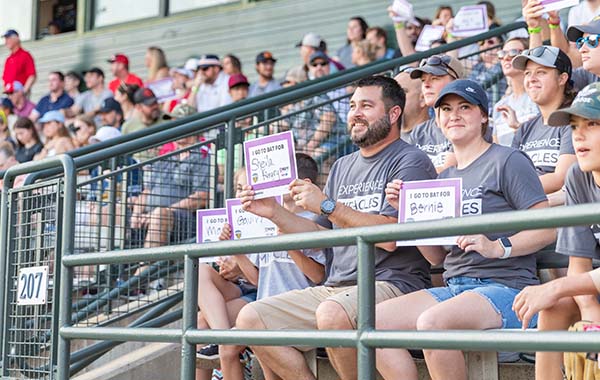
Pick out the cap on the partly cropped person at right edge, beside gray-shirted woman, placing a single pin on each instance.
(586, 104)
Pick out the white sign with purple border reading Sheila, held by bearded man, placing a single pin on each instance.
(270, 164)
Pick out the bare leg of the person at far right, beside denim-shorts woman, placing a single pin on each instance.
(548, 365)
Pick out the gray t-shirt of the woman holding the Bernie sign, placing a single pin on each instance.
(501, 179)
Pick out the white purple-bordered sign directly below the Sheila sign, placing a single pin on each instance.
(245, 225)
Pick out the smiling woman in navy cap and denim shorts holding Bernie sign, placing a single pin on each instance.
(483, 273)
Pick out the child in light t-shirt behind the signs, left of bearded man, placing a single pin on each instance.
(272, 273)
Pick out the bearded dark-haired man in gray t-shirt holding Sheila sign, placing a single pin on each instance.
(353, 197)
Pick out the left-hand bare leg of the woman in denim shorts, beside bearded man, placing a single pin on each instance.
(400, 314)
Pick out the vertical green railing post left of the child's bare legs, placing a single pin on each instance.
(190, 315)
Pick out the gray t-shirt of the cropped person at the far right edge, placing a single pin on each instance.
(580, 241)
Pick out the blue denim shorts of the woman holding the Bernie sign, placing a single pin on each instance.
(500, 296)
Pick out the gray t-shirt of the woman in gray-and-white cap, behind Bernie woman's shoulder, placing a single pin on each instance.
(543, 144)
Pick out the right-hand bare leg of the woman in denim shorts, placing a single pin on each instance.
(450, 315)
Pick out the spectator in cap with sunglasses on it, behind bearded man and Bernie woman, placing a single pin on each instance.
(435, 73)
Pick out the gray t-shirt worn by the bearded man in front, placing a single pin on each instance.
(359, 182)
